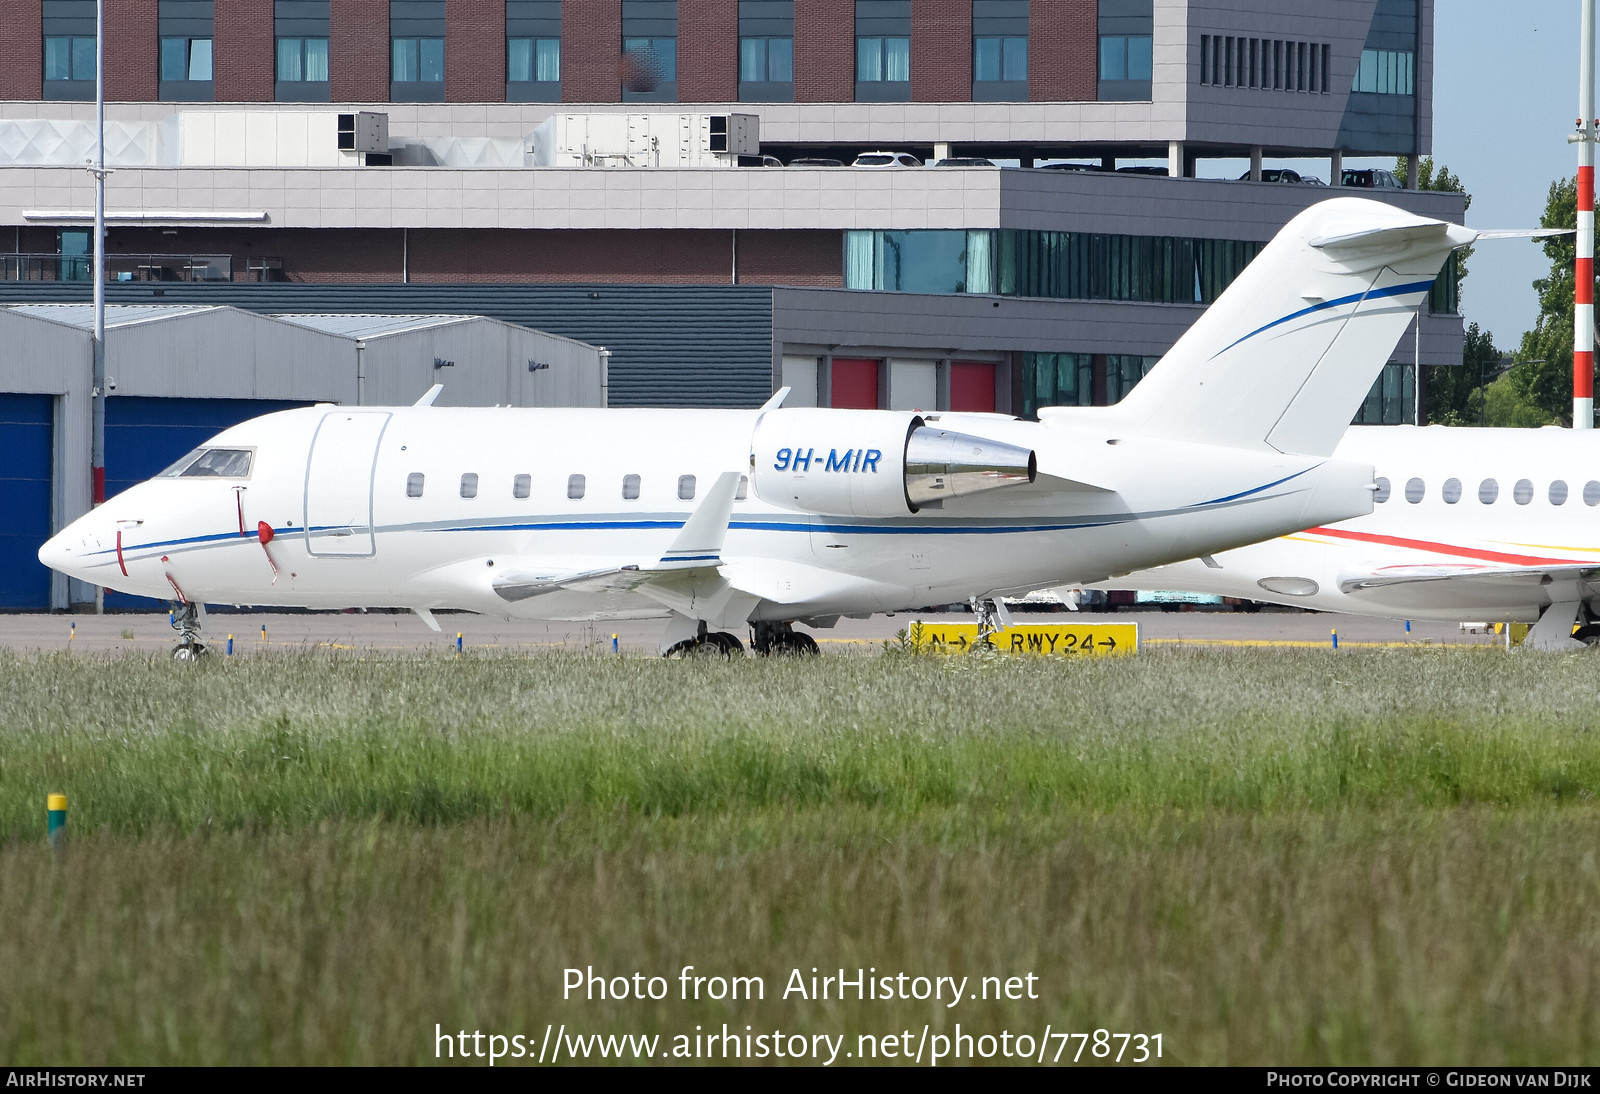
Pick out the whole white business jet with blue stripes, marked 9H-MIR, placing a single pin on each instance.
(770, 517)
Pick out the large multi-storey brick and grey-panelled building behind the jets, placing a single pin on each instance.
(652, 177)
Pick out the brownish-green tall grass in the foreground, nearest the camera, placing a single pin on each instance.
(1390, 936)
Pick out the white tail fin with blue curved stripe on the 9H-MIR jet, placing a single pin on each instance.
(1287, 354)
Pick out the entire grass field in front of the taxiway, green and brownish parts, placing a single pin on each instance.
(1292, 856)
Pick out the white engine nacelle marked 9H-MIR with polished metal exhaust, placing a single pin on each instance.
(857, 463)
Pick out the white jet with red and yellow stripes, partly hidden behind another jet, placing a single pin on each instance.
(1471, 524)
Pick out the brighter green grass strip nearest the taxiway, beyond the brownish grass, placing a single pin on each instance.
(265, 743)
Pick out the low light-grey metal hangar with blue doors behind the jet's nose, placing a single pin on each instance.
(180, 373)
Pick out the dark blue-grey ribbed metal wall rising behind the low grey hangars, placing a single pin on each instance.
(671, 346)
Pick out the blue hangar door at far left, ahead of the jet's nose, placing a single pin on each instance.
(26, 441)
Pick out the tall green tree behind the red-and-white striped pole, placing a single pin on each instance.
(1543, 378)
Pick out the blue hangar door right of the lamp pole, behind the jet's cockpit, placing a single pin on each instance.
(146, 436)
